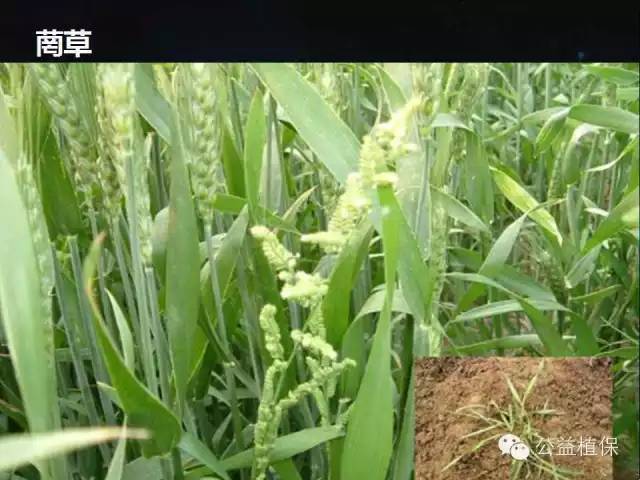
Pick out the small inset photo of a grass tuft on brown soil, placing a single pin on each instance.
(514, 418)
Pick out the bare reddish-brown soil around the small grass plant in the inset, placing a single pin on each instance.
(580, 388)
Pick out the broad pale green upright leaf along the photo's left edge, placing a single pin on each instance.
(28, 330)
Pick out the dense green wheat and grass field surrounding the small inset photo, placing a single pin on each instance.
(241, 261)
